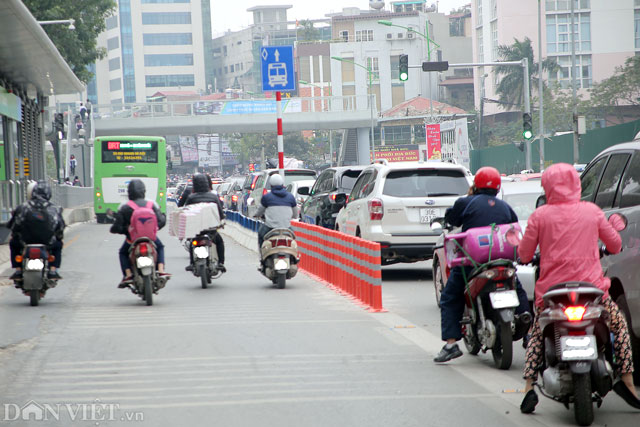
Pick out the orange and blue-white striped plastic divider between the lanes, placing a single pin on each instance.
(350, 265)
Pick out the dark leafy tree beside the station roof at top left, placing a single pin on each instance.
(78, 47)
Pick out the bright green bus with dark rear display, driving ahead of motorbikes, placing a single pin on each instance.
(117, 160)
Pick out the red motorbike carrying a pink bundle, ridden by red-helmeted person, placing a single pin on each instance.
(489, 321)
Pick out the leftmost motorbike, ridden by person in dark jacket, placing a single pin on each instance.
(35, 266)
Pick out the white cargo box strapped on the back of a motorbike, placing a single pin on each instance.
(190, 220)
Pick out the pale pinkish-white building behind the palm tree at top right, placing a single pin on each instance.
(605, 37)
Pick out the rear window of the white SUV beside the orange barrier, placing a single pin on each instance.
(425, 183)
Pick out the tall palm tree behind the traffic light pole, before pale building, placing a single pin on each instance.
(510, 89)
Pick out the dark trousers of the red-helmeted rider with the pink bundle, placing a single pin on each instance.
(452, 303)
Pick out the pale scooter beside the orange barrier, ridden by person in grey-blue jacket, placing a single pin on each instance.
(279, 255)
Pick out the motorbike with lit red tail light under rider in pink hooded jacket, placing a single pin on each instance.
(577, 344)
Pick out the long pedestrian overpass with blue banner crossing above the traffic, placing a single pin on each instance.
(239, 115)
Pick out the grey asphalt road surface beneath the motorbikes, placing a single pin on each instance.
(243, 353)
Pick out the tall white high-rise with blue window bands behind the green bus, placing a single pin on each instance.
(154, 45)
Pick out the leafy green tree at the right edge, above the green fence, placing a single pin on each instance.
(621, 89)
